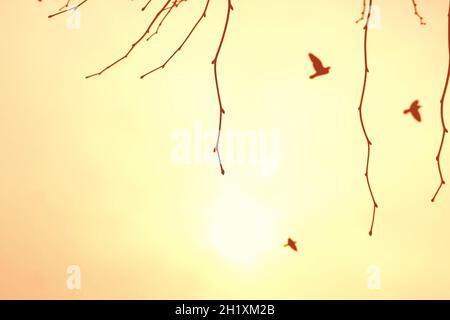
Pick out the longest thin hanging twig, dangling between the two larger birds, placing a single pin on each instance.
(369, 143)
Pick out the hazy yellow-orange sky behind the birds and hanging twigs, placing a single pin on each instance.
(109, 187)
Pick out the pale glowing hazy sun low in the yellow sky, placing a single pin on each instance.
(242, 230)
